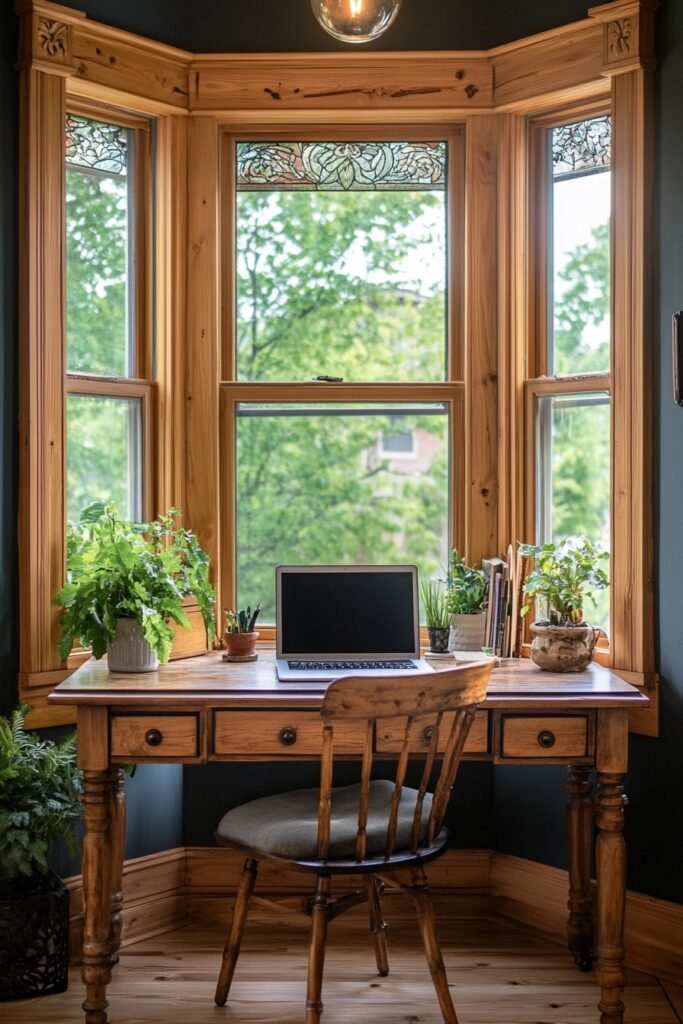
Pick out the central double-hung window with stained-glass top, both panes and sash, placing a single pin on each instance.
(340, 355)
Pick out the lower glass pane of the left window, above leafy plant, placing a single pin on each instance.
(105, 454)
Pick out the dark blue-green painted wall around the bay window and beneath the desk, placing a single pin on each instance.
(529, 804)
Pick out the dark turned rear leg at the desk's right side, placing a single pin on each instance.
(580, 842)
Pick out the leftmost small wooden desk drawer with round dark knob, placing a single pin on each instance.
(155, 737)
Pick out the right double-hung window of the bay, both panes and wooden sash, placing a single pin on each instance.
(570, 393)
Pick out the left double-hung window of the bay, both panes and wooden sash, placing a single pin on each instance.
(108, 336)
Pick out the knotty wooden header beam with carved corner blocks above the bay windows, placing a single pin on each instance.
(564, 65)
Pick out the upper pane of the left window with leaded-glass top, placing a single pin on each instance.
(101, 280)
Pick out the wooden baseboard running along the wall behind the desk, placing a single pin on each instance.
(163, 891)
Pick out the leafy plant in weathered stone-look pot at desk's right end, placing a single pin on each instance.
(564, 576)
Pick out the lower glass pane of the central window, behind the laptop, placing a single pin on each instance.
(314, 486)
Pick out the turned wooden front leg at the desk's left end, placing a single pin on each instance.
(97, 971)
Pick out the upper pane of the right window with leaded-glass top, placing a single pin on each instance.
(580, 157)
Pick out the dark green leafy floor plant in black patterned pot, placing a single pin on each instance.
(40, 789)
